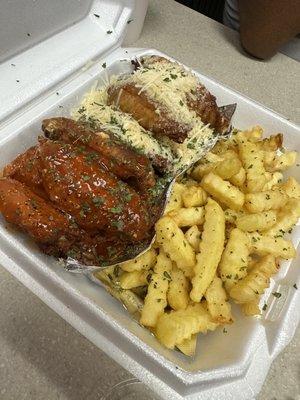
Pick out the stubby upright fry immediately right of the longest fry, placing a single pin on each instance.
(233, 265)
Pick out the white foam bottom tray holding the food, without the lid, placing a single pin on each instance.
(225, 360)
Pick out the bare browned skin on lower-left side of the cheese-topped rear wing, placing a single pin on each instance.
(129, 99)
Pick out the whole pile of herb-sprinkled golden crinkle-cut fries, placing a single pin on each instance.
(221, 239)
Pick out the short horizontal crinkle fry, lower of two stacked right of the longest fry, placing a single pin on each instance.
(256, 222)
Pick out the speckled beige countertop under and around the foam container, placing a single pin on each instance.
(41, 356)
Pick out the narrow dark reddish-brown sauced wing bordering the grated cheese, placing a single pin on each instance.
(120, 160)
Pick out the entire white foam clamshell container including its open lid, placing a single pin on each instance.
(48, 77)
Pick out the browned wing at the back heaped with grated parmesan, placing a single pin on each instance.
(165, 98)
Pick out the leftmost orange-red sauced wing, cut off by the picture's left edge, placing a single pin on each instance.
(55, 233)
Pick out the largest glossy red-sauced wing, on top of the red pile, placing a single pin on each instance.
(97, 199)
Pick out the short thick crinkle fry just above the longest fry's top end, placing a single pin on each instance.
(223, 191)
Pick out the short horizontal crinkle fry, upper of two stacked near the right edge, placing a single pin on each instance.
(264, 201)
